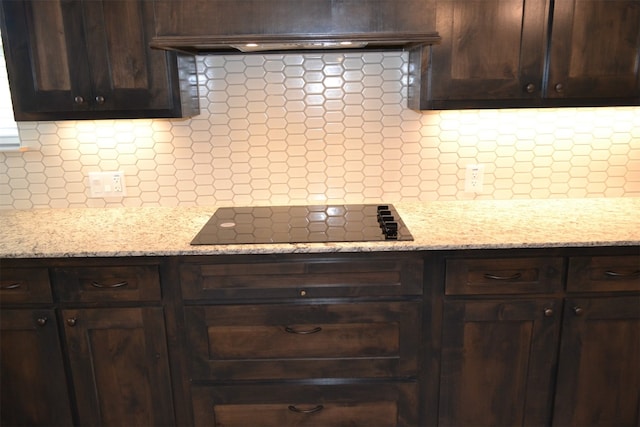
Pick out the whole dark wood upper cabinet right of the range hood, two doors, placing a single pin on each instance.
(538, 53)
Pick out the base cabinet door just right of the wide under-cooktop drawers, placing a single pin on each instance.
(497, 363)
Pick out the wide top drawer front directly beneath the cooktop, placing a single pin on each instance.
(303, 277)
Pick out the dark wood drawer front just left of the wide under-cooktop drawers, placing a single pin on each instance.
(107, 283)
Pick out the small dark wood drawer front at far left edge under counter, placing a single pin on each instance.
(25, 285)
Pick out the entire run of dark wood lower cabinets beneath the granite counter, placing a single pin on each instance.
(496, 338)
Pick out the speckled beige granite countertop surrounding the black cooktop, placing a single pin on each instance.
(434, 225)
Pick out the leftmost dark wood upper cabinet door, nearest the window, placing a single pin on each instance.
(46, 56)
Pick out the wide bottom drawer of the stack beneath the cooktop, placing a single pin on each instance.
(384, 404)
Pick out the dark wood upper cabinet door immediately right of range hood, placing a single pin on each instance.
(492, 50)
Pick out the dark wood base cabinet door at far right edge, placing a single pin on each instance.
(599, 366)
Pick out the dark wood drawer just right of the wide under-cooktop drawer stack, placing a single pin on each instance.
(503, 276)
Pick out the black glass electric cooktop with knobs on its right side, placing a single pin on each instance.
(303, 224)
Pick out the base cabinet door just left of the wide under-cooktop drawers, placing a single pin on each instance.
(119, 364)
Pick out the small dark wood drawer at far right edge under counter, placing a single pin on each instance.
(604, 273)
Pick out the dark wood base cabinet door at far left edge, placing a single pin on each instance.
(33, 387)
